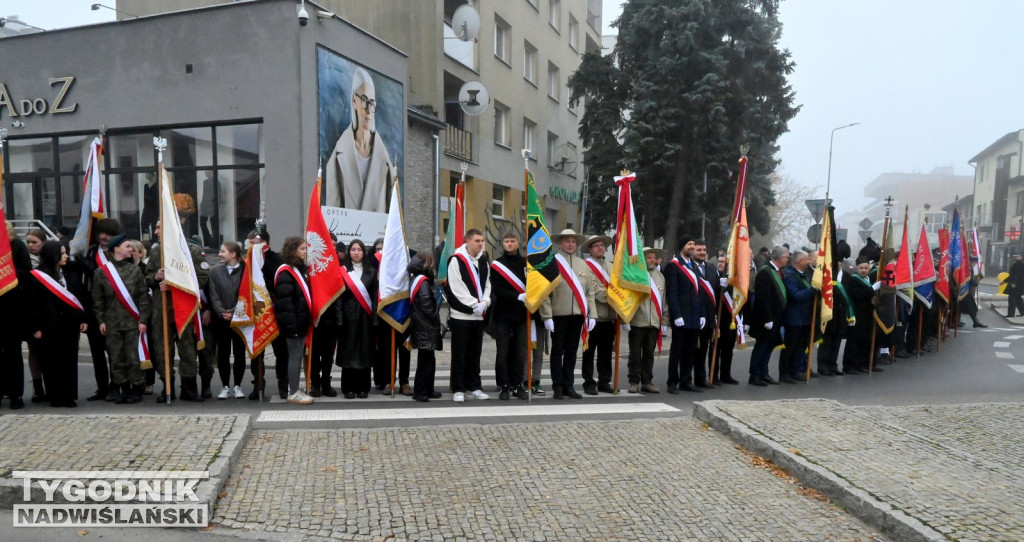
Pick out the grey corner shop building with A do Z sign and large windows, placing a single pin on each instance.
(250, 102)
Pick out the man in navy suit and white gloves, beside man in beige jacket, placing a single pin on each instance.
(687, 312)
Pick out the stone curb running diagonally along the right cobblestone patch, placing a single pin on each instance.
(859, 503)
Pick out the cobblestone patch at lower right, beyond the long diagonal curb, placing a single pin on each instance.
(958, 470)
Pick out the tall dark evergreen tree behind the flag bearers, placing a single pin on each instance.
(689, 84)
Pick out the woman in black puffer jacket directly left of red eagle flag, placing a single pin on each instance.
(291, 306)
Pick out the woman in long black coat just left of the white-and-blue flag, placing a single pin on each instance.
(356, 343)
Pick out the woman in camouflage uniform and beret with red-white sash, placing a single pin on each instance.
(120, 327)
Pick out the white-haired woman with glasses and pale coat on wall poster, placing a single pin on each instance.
(359, 171)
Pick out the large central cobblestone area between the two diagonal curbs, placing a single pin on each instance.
(645, 480)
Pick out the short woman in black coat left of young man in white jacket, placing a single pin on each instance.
(425, 326)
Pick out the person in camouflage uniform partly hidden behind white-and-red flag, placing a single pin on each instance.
(186, 342)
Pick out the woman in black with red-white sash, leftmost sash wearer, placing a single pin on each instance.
(57, 319)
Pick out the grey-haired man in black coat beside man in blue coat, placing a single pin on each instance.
(766, 316)
